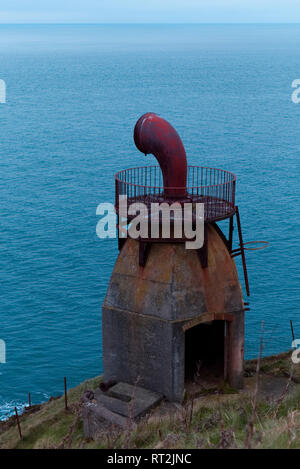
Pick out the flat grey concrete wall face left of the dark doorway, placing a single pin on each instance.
(139, 348)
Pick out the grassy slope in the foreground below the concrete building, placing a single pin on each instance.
(212, 421)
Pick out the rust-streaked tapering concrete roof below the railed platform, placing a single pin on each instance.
(173, 285)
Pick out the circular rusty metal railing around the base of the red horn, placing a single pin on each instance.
(213, 187)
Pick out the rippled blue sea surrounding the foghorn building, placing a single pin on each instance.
(74, 93)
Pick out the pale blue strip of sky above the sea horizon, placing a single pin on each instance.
(148, 11)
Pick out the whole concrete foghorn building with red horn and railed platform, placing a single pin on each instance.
(174, 317)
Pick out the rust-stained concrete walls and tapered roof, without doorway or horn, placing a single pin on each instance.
(146, 309)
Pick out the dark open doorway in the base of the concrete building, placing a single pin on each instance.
(204, 353)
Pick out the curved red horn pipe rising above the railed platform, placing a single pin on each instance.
(152, 134)
